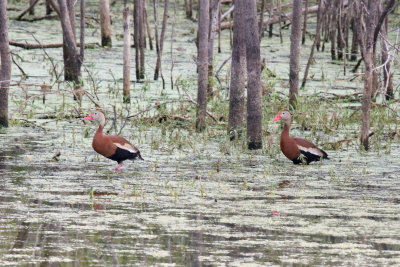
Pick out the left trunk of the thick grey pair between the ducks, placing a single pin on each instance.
(238, 75)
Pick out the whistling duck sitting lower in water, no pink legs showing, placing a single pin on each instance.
(297, 150)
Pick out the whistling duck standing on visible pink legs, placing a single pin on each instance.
(112, 146)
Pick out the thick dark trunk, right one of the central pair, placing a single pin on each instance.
(254, 112)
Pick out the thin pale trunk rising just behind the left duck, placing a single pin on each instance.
(127, 57)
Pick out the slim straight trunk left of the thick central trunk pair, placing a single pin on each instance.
(202, 64)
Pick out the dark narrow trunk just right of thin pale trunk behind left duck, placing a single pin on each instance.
(138, 19)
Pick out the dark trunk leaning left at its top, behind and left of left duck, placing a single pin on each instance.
(70, 48)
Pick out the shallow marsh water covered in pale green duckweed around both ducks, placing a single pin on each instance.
(197, 199)
